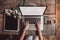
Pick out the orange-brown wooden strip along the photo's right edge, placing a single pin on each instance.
(58, 18)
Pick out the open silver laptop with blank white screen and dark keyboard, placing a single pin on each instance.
(32, 14)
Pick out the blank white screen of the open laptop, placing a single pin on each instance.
(32, 10)
